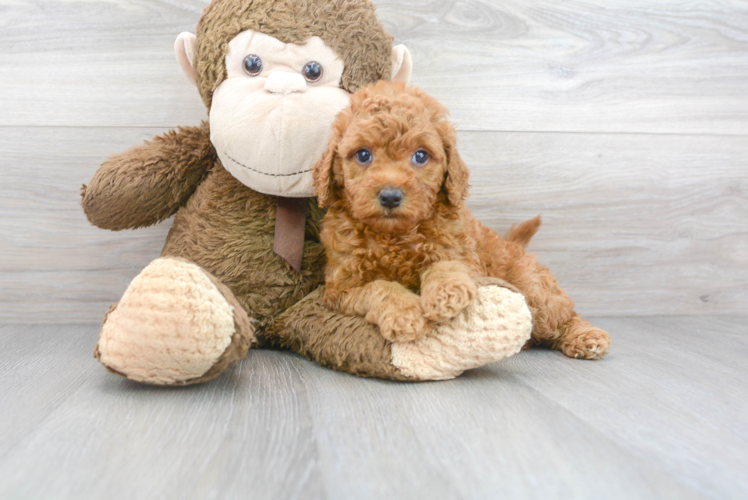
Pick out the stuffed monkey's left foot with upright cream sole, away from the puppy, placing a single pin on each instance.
(175, 325)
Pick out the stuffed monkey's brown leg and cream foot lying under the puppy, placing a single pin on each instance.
(494, 326)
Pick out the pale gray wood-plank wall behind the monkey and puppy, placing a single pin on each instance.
(623, 124)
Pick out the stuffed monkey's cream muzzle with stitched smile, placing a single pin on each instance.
(271, 142)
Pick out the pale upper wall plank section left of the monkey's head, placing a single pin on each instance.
(97, 64)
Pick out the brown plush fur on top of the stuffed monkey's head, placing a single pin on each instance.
(337, 22)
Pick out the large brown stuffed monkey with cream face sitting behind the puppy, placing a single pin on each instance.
(242, 264)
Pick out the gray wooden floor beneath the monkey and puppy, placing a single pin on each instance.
(664, 416)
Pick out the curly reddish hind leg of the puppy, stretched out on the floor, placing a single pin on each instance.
(555, 324)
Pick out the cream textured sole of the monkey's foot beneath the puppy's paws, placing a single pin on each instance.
(494, 326)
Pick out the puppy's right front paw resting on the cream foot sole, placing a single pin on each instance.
(444, 299)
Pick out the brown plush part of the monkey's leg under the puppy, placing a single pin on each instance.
(346, 343)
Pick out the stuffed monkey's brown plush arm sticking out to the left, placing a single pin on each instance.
(148, 183)
